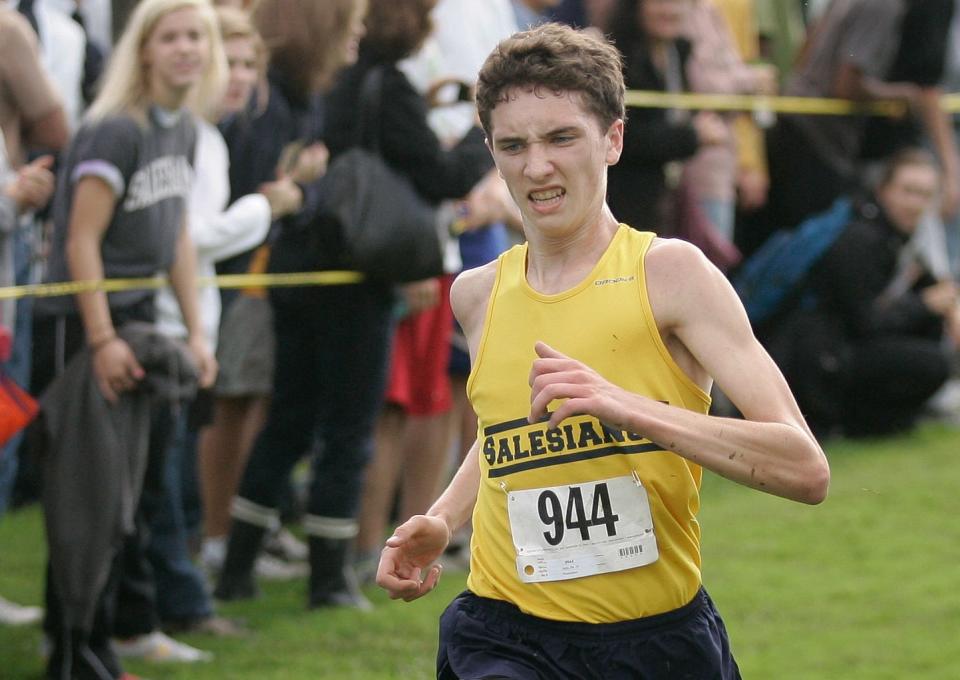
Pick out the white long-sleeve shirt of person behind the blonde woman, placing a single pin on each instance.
(218, 232)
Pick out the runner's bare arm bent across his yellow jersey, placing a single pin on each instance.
(771, 449)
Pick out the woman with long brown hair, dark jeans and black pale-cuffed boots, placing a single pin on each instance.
(330, 342)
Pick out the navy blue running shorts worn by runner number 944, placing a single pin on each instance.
(484, 638)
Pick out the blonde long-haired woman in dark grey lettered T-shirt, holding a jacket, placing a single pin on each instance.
(119, 212)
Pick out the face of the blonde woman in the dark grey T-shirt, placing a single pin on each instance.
(175, 55)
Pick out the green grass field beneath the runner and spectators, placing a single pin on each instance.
(863, 587)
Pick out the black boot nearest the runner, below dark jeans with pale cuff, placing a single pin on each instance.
(333, 582)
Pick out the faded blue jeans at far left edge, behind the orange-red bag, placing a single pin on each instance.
(18, 367)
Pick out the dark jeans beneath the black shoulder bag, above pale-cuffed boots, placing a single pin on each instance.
(329, 379)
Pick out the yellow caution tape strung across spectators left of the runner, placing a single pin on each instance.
(326, 278)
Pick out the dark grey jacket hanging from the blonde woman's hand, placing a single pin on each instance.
(94, 459)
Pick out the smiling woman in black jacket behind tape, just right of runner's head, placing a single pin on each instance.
(649, 35)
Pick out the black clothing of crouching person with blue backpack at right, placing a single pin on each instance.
(834, 336)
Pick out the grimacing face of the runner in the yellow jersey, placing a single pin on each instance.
(553, 155)
